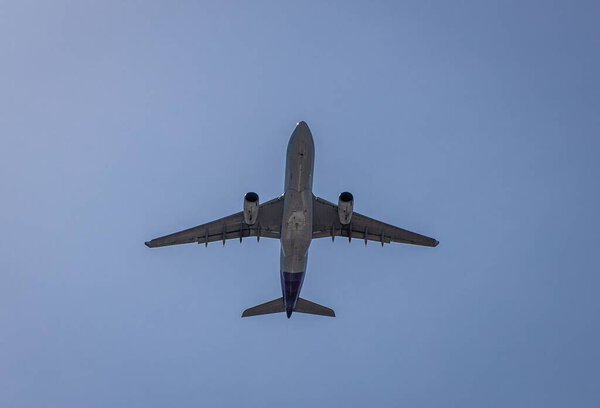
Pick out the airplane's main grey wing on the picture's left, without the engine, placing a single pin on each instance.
(267, 225)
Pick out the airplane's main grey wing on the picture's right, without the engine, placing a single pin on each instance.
(326, 223)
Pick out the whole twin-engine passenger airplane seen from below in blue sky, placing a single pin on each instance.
(295, 218)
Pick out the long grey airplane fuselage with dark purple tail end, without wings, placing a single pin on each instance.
(297, 222)
